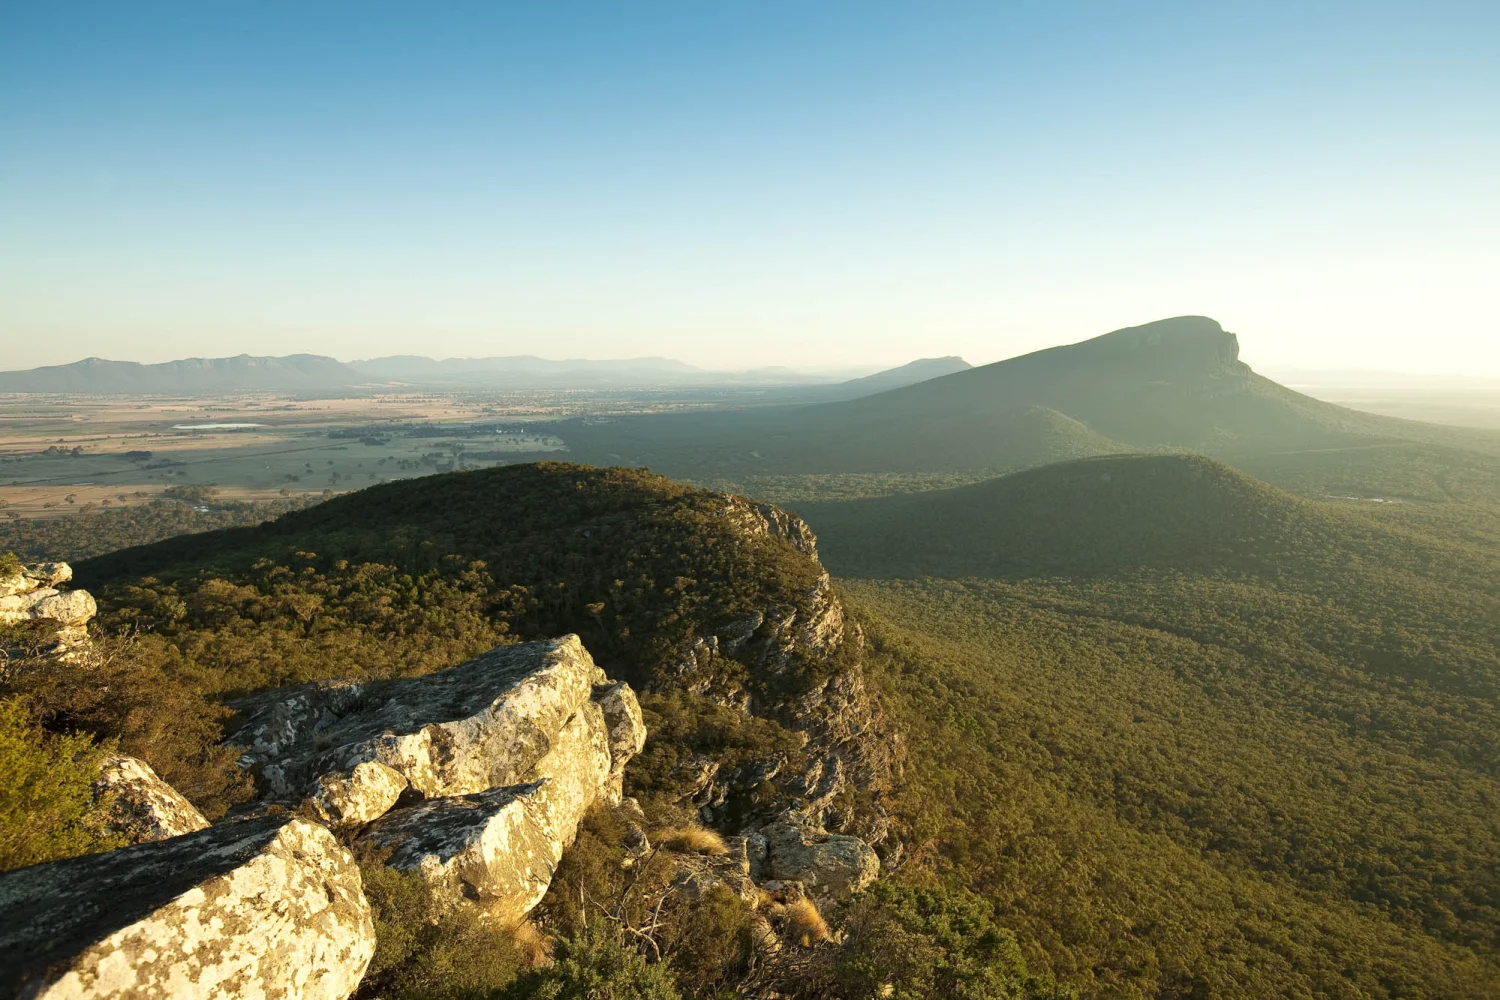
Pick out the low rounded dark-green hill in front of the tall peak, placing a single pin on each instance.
(1121, 515)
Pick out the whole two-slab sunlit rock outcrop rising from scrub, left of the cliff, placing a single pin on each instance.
(475, 777)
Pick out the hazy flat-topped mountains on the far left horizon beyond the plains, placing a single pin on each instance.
(188, 376)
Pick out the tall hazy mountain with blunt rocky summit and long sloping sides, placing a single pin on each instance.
(1177, 385)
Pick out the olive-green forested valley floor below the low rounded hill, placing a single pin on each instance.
(1162, 798)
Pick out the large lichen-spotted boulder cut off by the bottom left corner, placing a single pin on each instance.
(271, 908)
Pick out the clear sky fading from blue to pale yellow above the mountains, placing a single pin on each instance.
(748, 184)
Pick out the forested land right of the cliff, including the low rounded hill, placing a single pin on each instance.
(1178, 722)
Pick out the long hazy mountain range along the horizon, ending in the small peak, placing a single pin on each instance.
(311, 373)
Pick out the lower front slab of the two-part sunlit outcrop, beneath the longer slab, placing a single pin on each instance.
(500, 848)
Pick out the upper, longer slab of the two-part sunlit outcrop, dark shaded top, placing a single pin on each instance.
(478, 726)
